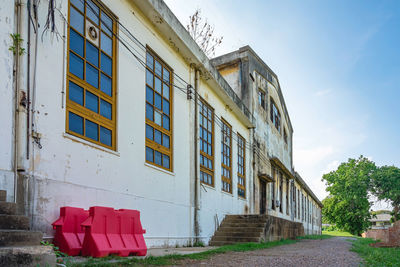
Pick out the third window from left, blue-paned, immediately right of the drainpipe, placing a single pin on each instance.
(206, 120)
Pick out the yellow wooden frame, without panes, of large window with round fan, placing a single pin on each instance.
(80, 110)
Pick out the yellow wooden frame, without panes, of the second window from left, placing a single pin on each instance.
(152, 144)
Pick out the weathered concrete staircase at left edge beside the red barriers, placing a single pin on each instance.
(18, 245)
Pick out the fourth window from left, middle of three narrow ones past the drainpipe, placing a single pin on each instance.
(226, 157)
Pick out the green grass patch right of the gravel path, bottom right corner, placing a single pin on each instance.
(375, 256)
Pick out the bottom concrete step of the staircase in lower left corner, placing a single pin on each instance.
(27, 256)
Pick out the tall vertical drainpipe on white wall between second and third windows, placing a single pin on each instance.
(196, 161)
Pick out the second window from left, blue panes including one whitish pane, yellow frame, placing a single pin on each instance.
(158, 112)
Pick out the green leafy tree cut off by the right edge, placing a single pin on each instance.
(385, 185)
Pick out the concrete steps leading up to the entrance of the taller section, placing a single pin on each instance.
(240, 229)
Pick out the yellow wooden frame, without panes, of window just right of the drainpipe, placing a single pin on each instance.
(205, 169)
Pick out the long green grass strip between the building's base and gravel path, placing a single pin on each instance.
(172, 259)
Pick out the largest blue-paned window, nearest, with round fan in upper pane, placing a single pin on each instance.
(91, 75)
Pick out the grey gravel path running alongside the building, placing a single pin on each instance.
(327, 252)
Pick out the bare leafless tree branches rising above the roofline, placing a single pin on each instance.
(203, 33)
